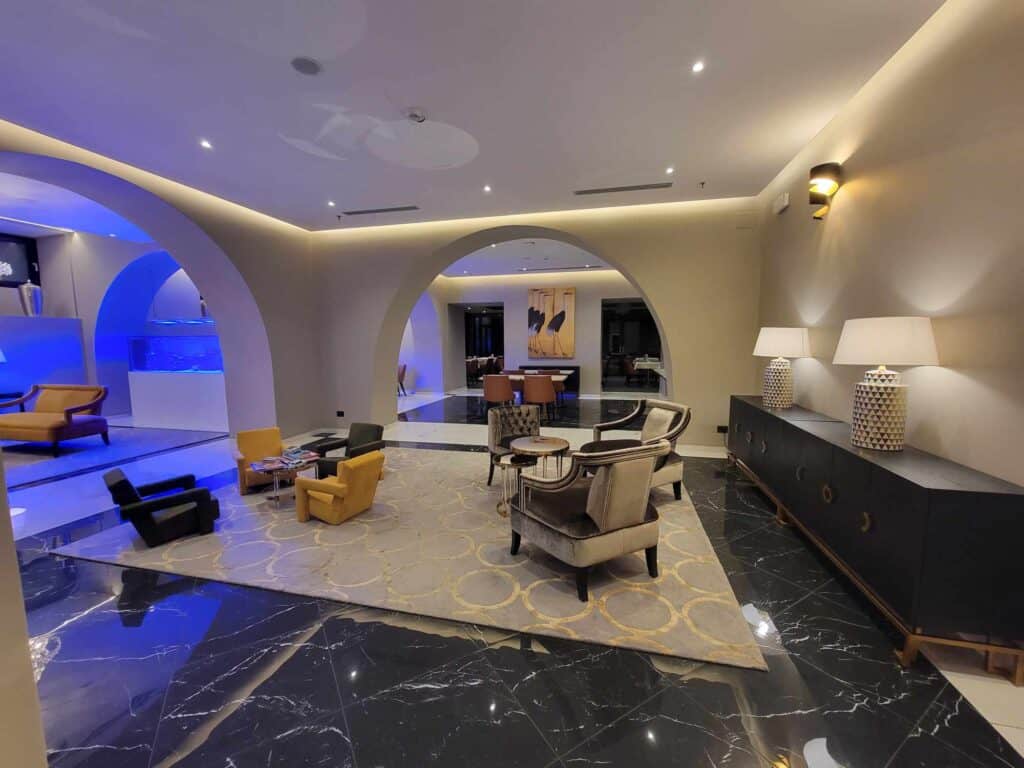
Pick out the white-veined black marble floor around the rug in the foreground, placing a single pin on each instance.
(144, 670)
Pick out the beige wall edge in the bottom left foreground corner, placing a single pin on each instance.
(22, 735)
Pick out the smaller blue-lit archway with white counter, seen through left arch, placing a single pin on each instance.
(157, 350)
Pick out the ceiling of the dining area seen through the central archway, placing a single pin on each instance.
(521, 257)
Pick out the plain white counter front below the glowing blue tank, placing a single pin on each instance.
(179, 400)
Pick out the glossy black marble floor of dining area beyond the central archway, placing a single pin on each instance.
(573, 412)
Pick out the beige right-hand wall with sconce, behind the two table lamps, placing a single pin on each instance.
(929, 222)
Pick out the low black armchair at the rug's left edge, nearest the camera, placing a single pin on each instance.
(159, 516)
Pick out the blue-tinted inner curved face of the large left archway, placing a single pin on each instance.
(249, 374)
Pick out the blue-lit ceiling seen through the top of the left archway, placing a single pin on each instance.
(34, 203)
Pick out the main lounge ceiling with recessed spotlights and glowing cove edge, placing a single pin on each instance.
(535, 98)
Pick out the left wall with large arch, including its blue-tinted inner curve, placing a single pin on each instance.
(248, 363)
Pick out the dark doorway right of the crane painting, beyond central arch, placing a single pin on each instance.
(631, 347)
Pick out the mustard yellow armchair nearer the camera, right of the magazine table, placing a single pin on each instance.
(344, 496)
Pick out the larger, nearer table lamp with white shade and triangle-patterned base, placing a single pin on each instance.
(880, 401)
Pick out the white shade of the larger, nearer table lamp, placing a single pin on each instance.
(887, 342)
